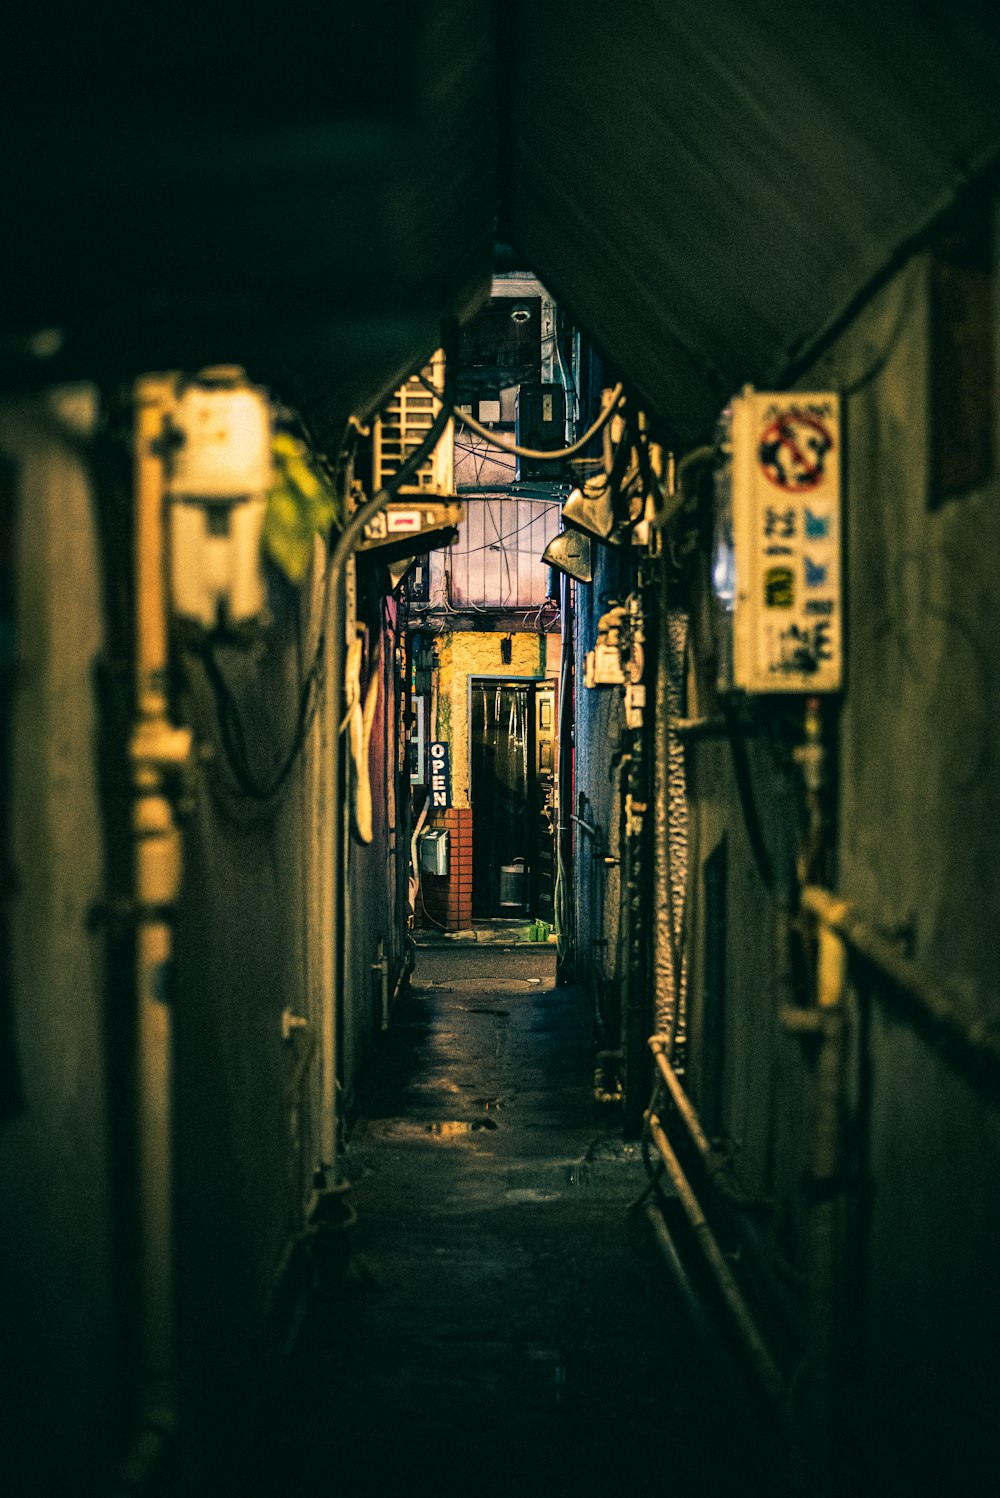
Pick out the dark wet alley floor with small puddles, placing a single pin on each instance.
(507, 1323)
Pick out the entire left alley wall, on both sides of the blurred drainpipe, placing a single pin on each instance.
(252, 940)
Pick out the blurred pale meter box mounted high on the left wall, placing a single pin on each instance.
(218, 477)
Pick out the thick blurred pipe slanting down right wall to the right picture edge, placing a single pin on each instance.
(929, 1001)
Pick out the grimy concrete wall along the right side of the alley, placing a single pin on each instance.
(920, 804)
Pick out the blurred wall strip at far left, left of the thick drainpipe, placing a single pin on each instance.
(62, 1409)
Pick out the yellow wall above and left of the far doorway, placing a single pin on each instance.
(472, 654)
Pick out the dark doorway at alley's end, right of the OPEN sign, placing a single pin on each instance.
(513, 783)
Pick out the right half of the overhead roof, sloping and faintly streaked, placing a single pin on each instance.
(709, 185)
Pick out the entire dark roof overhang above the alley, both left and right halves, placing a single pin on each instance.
(706, 185)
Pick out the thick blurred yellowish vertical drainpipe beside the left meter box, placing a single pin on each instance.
(158, 751)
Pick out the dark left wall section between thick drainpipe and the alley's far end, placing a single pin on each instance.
(249, 1099)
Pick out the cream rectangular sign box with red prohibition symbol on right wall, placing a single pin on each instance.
(778, 545)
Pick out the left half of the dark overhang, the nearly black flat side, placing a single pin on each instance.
(309, 191)
